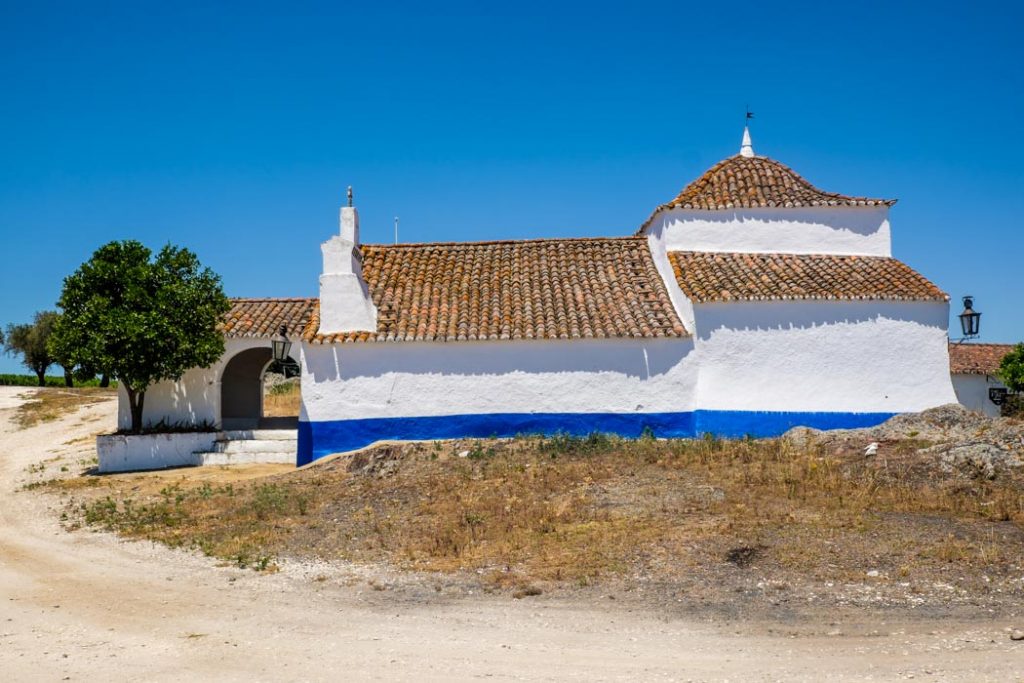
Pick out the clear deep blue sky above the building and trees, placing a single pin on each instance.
(234, 131)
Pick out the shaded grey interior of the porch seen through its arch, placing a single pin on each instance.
(242, 394)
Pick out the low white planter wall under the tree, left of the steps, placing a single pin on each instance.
(125, 453)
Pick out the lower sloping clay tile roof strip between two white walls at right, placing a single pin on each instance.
(708, 277)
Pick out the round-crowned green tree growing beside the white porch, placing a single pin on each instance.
(141, 319)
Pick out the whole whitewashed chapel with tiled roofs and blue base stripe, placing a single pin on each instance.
(750, 304)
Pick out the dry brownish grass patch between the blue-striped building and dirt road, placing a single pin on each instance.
(580, 511)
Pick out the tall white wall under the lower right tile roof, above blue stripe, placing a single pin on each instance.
(823, 357)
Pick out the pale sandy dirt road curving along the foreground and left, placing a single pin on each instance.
(88, 607)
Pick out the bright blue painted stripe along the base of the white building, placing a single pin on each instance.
(318, 440)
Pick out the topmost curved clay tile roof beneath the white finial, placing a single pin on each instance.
(754, 183)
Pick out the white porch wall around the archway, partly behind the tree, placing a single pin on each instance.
(193, 400)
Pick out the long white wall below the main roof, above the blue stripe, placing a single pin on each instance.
(380, 380)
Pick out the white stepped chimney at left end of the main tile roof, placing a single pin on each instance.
(346, 303)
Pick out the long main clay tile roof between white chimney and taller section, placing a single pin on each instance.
(537, 289)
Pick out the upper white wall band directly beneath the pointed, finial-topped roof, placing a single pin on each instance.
(863, 231)
